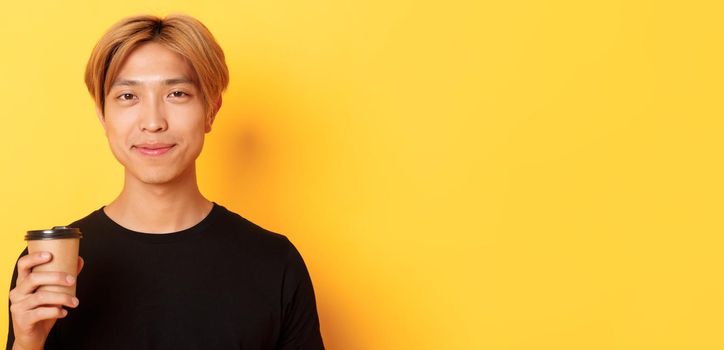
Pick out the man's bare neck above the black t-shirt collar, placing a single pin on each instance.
(159, 208)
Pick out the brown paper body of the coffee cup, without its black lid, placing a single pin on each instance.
(65, 259)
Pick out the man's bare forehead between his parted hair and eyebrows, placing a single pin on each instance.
(152, 62)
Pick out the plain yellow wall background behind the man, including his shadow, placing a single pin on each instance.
(457, 175)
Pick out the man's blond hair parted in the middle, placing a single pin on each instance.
(183, 34)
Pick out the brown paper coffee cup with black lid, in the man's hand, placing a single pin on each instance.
(63, 242)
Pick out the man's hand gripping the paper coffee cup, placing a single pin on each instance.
(34, 312)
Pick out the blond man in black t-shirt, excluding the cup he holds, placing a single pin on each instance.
(163, 267)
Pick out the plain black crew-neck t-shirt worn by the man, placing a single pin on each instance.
(224, 283)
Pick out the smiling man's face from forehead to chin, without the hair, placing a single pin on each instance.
(154, 116)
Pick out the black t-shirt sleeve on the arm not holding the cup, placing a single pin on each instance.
(300, 321)
